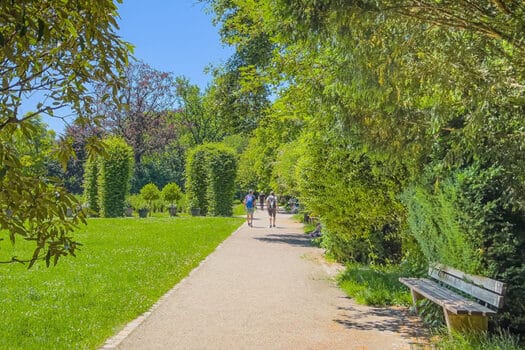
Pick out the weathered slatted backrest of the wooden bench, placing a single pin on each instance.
(470, 284)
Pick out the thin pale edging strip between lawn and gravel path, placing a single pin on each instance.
(114, 341)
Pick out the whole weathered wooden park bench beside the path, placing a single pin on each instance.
(467, 300)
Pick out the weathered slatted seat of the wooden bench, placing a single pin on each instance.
(446, 298)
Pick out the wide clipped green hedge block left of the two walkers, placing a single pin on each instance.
(210, 184)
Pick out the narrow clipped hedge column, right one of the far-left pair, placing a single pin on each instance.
(114, 177)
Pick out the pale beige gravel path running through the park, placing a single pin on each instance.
(265, 288)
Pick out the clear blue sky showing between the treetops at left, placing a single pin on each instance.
(174, 36)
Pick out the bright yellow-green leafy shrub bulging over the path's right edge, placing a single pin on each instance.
(355, 196)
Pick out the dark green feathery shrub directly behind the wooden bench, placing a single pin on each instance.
(466, 220)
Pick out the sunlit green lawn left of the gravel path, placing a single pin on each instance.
(123, 268)
